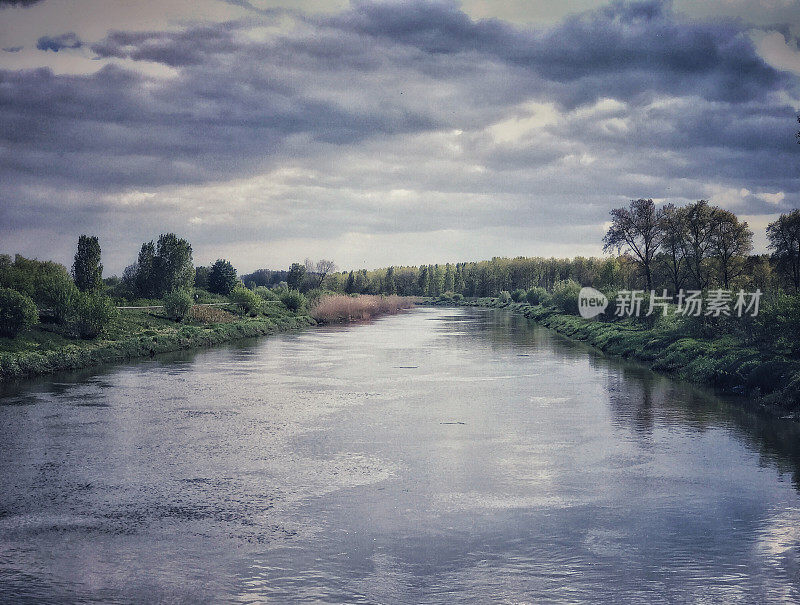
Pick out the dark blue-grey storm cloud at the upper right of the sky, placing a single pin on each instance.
(622, 50)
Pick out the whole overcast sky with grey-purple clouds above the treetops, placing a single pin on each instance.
(378, 133)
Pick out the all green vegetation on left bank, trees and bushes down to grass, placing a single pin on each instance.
(48, 323)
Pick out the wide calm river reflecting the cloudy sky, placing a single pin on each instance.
(437, 456)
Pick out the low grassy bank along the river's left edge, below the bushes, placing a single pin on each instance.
(42, 349)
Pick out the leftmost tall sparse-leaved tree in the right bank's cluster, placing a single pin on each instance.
(636, 229)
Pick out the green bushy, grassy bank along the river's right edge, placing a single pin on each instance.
(764, 379)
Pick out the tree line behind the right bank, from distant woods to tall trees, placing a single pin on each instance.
(696, 246)
